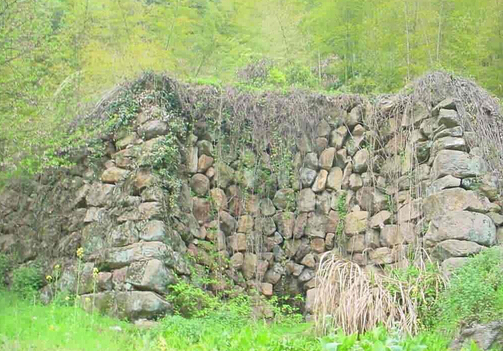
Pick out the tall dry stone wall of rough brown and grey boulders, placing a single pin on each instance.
(374, 196)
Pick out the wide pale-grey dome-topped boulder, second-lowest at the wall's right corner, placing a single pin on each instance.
(462, 225)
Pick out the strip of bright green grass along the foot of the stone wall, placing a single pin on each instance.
(28, 326)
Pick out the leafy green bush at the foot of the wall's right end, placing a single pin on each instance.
(475, 291)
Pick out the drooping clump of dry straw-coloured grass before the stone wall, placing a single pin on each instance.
(355, 300)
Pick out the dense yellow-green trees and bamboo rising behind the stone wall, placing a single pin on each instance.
(57, 56)
